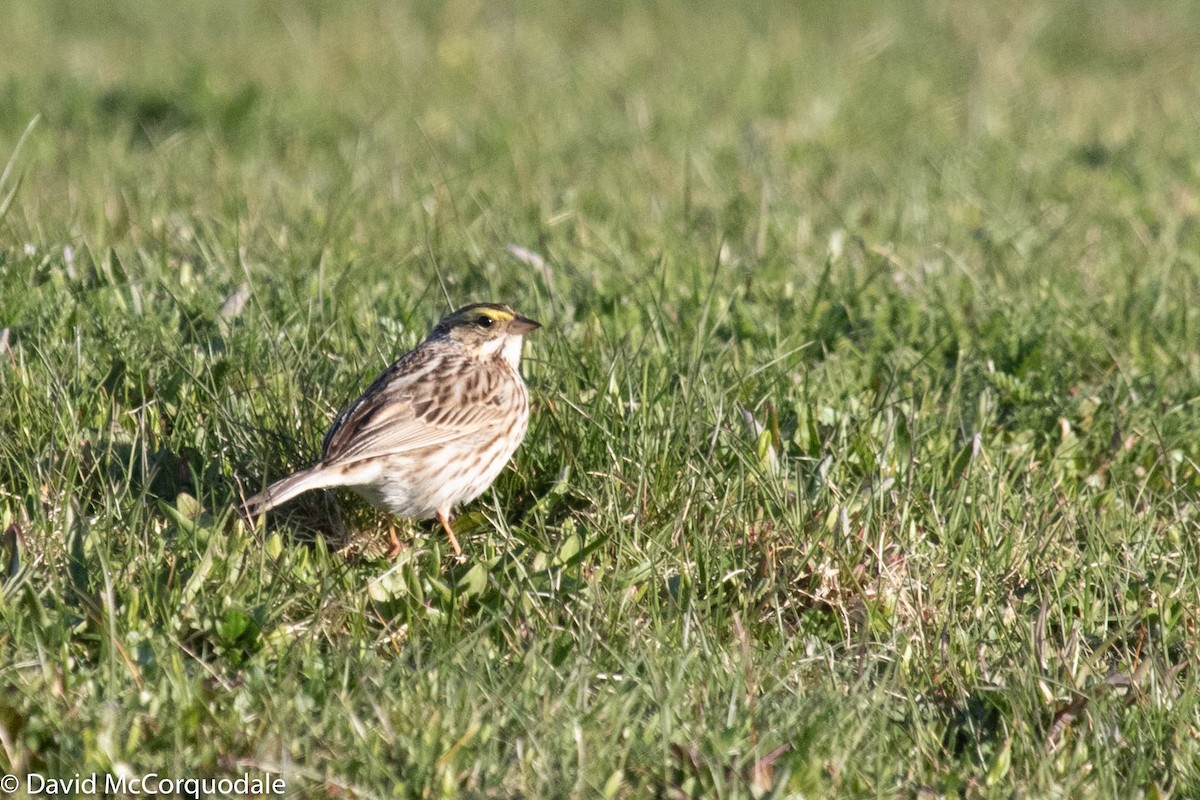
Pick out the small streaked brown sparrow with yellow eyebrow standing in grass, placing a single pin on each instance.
(435, 429)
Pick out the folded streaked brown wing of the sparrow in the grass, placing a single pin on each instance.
(409, 408)
